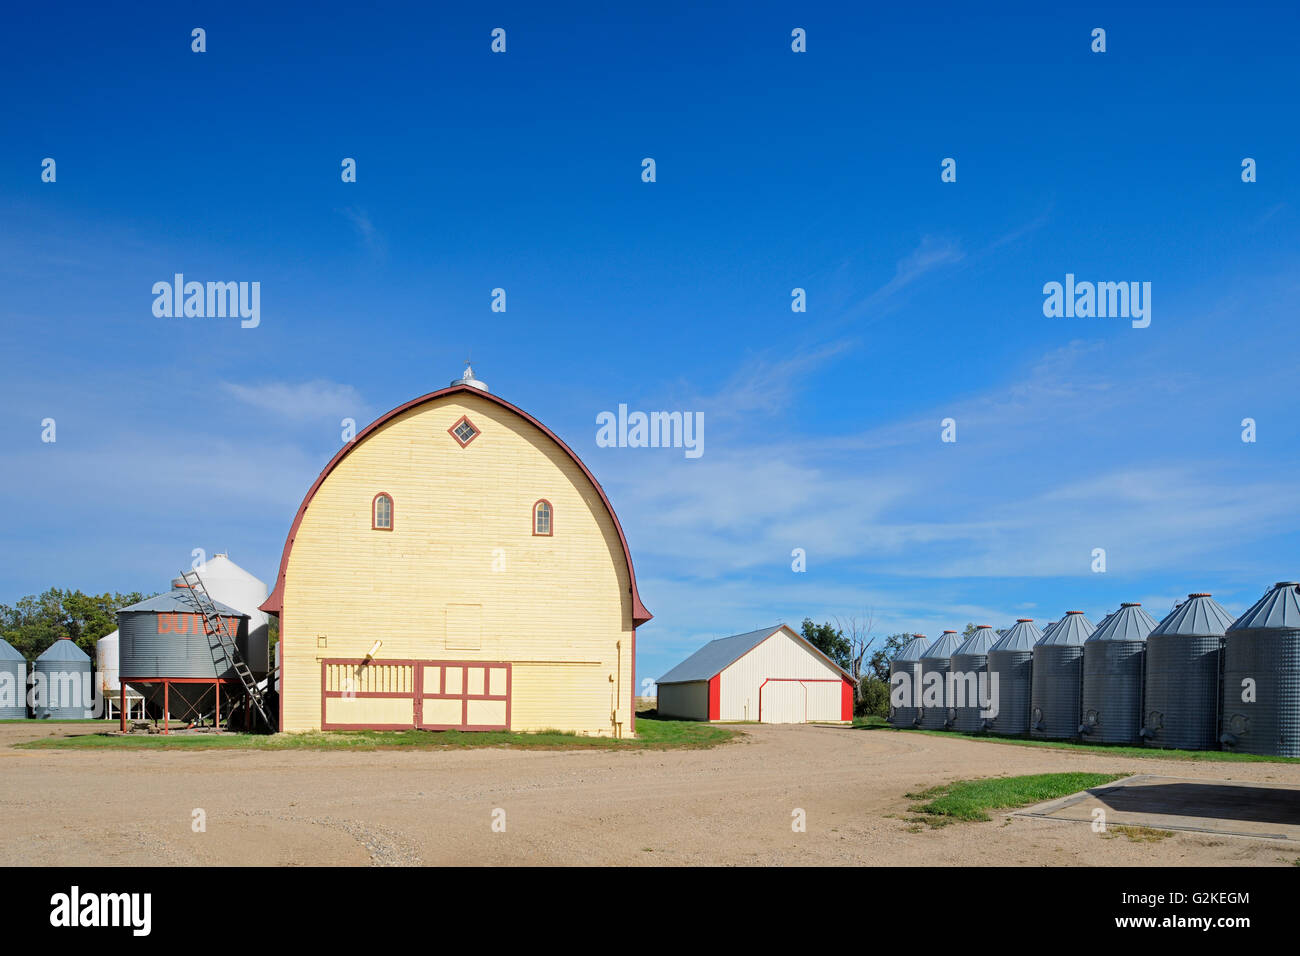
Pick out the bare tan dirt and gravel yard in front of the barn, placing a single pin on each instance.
(731, 806)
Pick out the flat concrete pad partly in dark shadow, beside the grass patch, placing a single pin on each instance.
(1227, 808)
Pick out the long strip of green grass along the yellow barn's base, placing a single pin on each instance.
(653, 734)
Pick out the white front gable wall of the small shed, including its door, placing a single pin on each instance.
(781, 656)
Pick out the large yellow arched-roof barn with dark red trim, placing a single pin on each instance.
(457, 566)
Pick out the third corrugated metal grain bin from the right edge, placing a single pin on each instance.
(1113, 676)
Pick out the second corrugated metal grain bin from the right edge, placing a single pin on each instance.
(1185, 657)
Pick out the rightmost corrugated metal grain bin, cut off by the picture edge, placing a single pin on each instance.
(1262, 654)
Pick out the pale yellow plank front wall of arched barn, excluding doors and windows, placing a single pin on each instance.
(558, 608)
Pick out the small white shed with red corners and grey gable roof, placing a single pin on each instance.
(770, 676)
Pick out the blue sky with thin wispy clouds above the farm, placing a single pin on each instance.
(775, 171)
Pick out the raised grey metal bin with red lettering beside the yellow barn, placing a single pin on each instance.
(164, 638)
